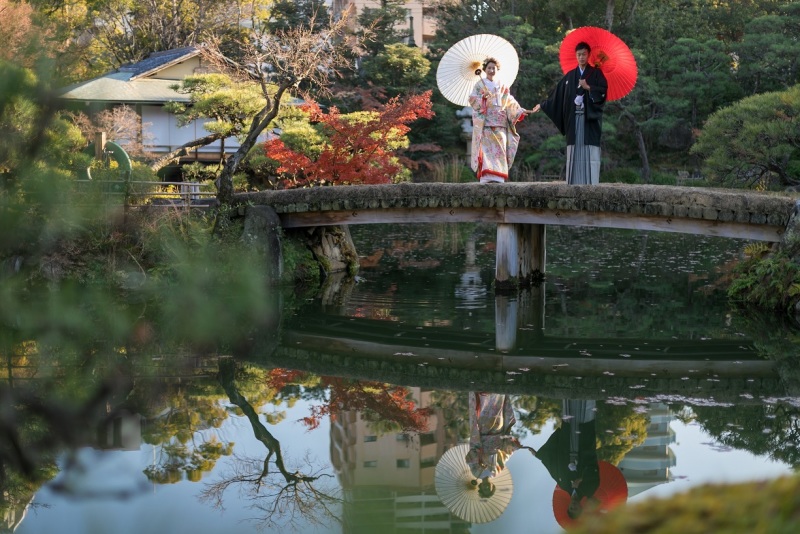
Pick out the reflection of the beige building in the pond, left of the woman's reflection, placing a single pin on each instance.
(388, 479)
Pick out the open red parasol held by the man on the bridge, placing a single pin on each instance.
(609, 53)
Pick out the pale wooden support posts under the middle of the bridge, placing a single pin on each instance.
(520, 255)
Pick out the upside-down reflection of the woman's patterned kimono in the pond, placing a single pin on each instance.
(490, 441)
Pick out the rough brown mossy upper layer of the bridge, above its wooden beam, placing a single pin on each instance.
(706, 204)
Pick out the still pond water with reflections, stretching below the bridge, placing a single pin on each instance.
(330, 411)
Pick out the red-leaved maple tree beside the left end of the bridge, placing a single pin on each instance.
(358, 151)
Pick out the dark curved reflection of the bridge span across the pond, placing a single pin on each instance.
(722, 370)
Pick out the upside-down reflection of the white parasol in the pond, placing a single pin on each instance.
(458, 489)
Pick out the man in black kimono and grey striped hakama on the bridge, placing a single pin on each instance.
(576, 108)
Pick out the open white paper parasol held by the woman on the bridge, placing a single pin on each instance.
(456, 73)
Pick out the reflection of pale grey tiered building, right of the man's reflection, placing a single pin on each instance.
(648, 465)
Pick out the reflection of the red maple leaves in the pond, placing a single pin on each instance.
(376, 401)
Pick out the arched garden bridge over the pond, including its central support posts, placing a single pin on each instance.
(521, 211)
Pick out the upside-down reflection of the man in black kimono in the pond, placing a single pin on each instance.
(570, 454)
